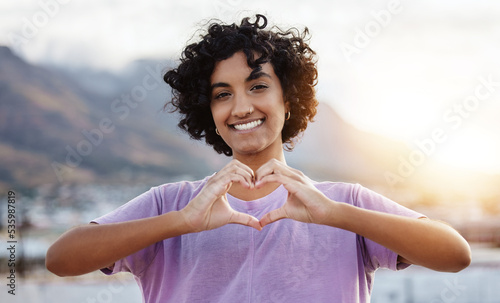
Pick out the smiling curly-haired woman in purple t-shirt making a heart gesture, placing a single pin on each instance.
(249, 92)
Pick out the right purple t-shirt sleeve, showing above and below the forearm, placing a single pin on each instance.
(375, 255)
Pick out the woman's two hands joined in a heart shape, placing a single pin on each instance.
(211, 209)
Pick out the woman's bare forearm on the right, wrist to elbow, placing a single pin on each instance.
(421, 241)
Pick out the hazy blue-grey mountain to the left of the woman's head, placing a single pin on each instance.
(55, 130)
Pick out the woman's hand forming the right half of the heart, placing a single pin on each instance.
(305, 202)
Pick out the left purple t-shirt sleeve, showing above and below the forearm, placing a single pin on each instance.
(146, 205)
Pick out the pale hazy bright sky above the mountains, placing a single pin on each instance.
(411, 70)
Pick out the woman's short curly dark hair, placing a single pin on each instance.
(291, 57)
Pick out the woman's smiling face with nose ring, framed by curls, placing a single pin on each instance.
(248, 108)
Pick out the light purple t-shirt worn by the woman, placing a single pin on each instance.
(288, 261)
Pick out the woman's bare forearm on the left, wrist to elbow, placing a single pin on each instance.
(87, 248)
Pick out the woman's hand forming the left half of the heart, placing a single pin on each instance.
(210, 209)
